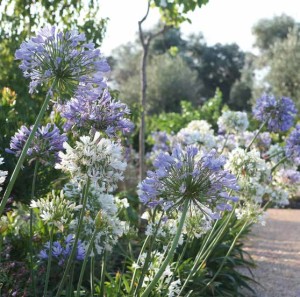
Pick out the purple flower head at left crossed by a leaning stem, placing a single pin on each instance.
(46, 145)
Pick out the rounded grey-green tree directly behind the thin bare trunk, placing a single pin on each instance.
(170, 80)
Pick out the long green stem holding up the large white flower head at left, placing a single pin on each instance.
(74, 248)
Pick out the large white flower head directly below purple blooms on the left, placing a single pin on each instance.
(96, 159)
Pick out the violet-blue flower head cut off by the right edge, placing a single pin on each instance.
(292, 148)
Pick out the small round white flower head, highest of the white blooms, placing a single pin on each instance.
(233, 121)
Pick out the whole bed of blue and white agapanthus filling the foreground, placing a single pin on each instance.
(85, 238)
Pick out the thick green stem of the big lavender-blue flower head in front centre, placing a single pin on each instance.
(171, 251)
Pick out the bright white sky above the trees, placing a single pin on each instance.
(223, 21)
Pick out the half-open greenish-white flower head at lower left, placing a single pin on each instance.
(55, 209)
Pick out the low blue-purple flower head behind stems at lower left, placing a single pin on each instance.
(61, 250)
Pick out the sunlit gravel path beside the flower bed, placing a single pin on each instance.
(276, 251)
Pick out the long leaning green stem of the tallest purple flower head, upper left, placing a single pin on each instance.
(25, 149)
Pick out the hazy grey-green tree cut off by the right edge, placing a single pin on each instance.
(279, 61)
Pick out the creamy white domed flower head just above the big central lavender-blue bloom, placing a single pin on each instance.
(197, 132)
